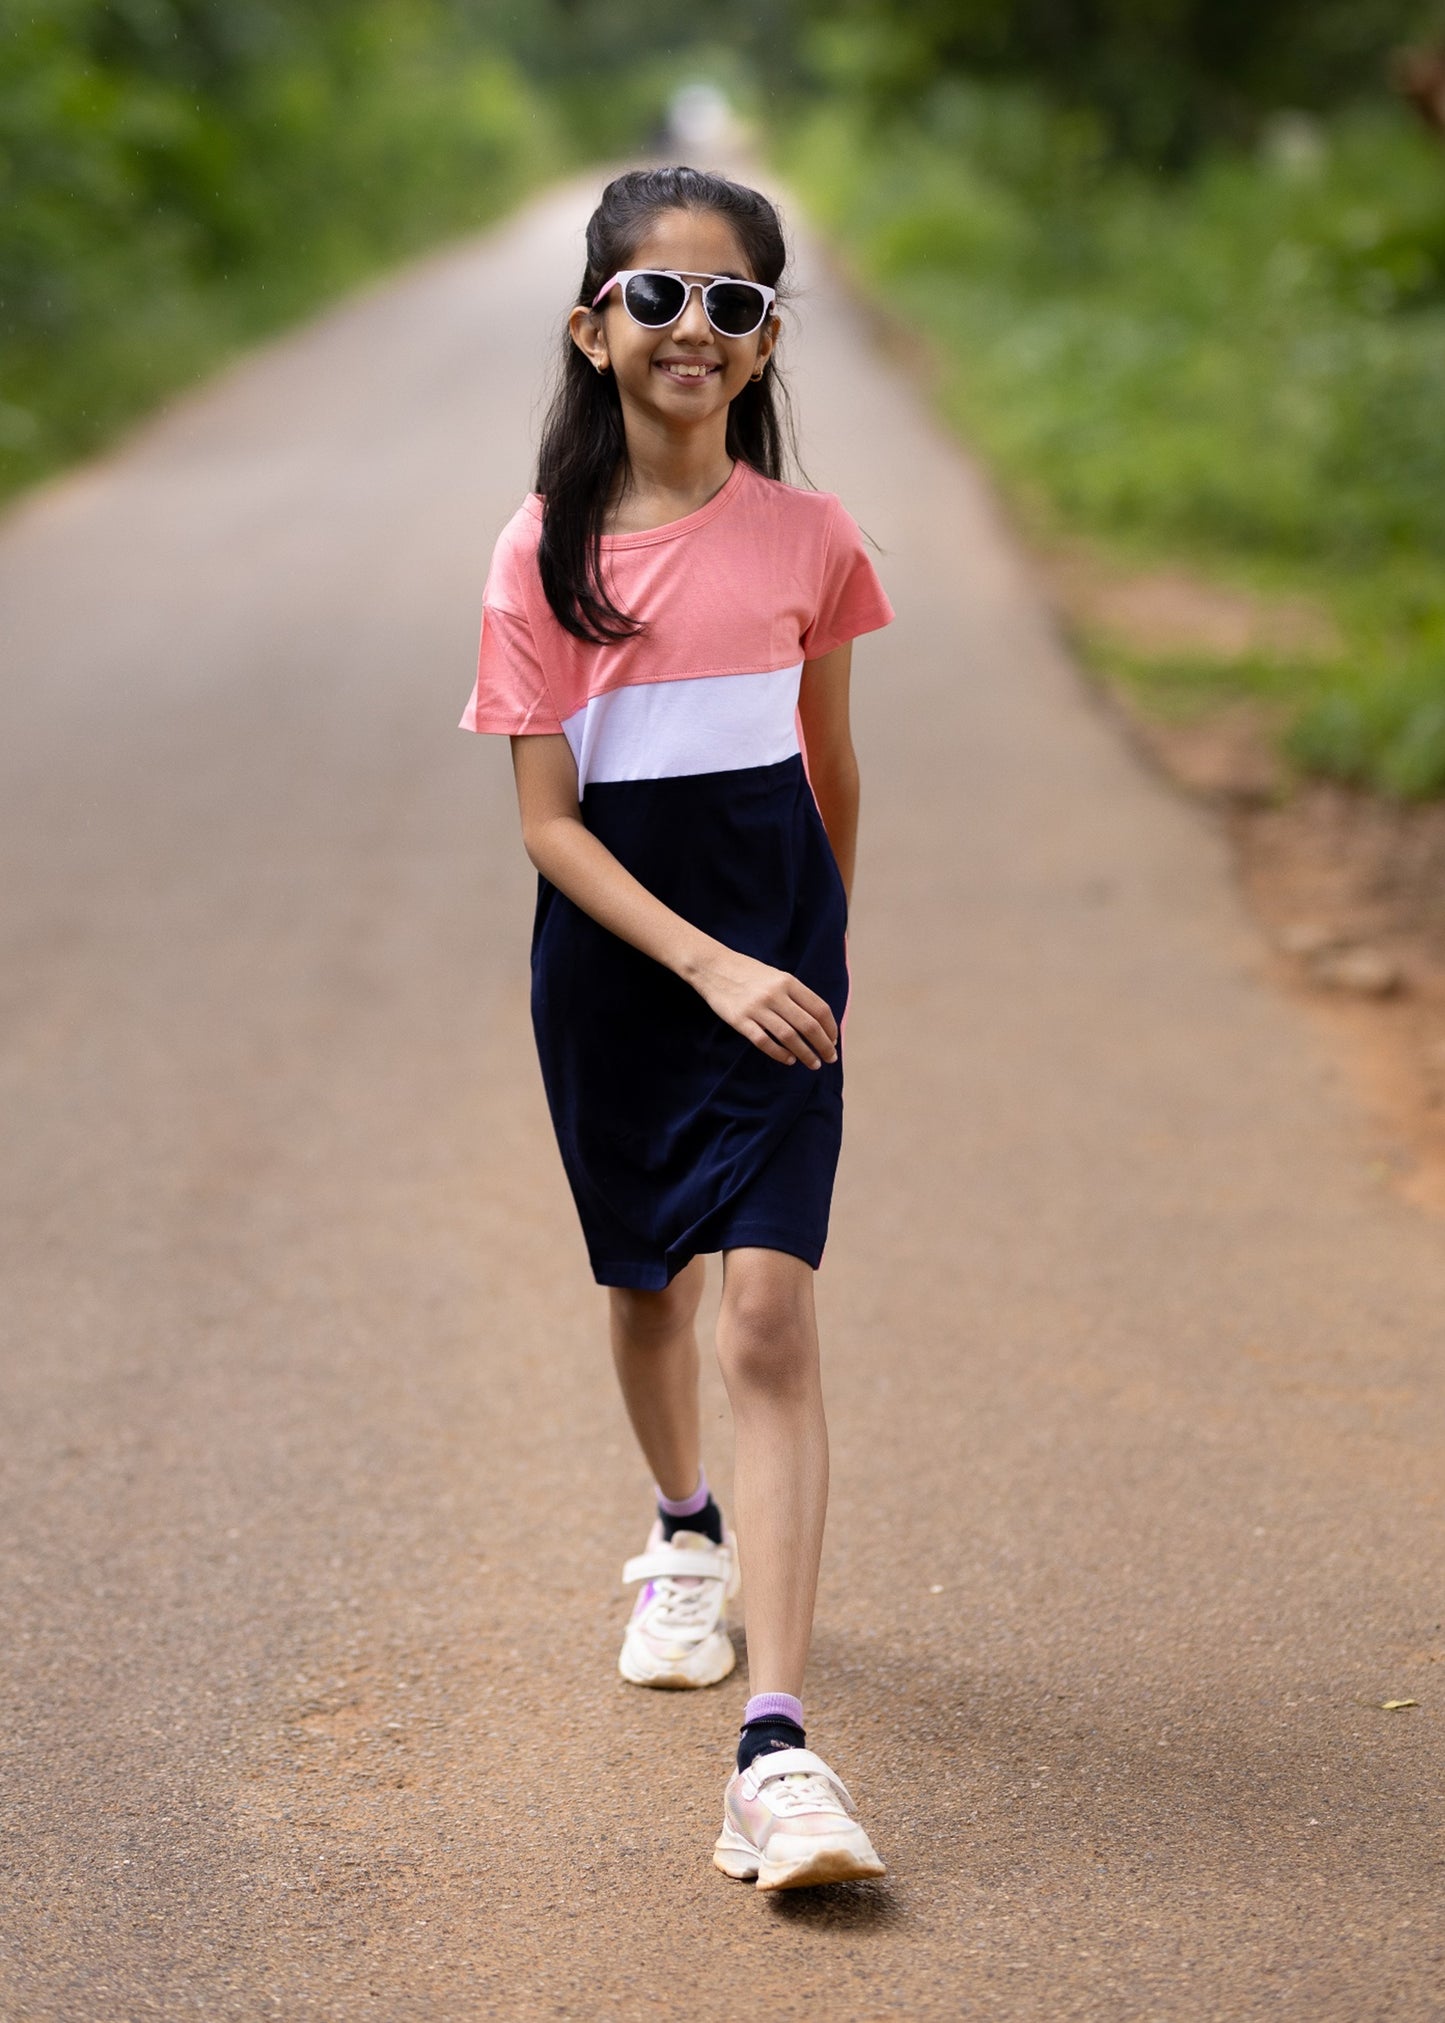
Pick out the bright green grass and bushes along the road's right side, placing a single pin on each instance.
(1244, 367)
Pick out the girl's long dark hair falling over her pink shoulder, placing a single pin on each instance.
(584, 438)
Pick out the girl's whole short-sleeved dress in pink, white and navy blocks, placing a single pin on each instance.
(677, 1134)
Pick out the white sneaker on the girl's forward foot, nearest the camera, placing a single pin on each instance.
(788, 1822)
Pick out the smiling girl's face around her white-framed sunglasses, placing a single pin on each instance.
(659, 369)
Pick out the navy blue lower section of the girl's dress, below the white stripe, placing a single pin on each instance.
(677, 1134)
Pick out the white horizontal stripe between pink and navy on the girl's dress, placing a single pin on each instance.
(711, 723)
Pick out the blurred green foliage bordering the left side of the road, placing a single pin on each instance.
(183, 175)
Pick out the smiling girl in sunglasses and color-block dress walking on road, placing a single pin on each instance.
(667, 640)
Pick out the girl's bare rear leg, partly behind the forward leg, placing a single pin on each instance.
(655, 1346)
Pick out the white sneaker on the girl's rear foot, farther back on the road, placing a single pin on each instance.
(677, 1636)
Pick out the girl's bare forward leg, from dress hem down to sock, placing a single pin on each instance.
(768, 1348)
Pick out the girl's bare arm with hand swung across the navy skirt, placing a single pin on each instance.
(768, 1006)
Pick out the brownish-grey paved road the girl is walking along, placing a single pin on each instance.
(315, 1480)
